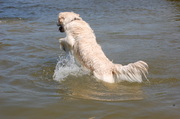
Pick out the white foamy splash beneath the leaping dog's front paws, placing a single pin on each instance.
(65, 66)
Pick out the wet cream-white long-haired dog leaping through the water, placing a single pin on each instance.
(81, 42)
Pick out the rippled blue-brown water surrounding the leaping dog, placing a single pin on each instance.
(127, 30)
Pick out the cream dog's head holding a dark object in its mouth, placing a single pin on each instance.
(65, 18)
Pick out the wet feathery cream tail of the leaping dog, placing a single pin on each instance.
(133, 72)
